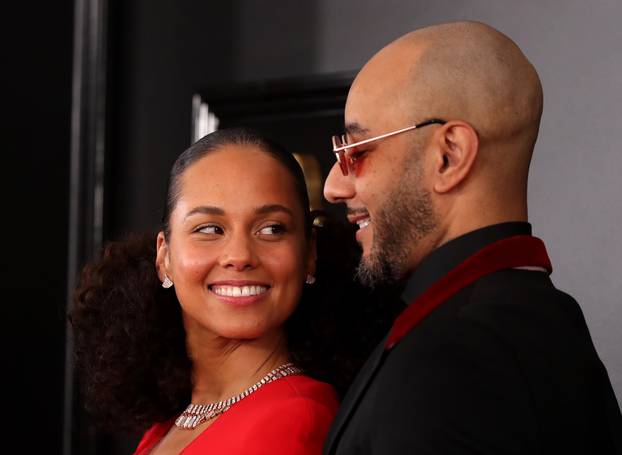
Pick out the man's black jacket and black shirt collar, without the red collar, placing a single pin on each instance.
(505, 366)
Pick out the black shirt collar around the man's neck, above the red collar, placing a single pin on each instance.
(440, 261)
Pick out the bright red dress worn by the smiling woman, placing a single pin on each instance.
(288, 416)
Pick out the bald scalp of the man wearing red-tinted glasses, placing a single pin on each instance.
(463, 70)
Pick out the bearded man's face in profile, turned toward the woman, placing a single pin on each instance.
(385, 192)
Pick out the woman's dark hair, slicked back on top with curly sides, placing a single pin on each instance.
(129, 339)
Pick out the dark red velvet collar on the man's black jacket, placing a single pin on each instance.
(517, 251)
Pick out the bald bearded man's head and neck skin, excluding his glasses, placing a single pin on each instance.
(425, 187)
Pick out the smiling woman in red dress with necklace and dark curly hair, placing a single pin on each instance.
(230, 372)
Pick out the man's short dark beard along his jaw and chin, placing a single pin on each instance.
(406, 217)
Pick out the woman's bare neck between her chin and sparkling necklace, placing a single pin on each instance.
(223, 368)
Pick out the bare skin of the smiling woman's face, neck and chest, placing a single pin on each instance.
(253, 231)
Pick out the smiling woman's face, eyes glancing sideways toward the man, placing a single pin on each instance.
(237, 252)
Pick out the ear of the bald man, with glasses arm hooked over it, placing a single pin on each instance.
(456, 147)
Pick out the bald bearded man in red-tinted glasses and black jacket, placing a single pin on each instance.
(488, 357)
